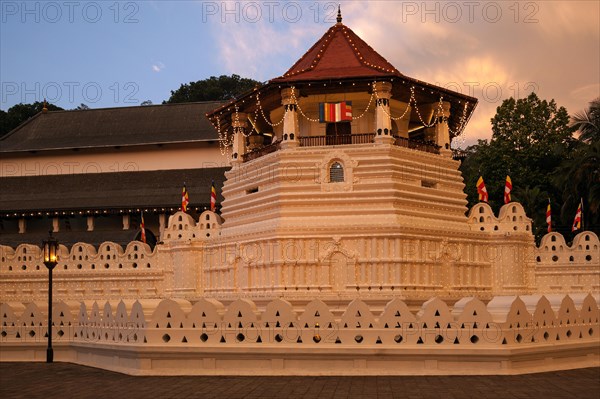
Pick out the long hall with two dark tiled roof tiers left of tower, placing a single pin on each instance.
(88, 175)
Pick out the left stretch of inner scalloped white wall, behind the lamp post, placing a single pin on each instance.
(82, 272)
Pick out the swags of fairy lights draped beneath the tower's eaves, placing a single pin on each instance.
(226, 139)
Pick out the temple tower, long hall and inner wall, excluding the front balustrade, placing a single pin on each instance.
(337, 181)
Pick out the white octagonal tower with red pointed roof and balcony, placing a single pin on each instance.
(342, 181)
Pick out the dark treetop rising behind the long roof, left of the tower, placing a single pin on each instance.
(212, 89)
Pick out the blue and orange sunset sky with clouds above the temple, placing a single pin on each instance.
(113, 54)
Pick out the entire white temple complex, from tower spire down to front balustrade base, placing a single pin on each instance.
(342, 245)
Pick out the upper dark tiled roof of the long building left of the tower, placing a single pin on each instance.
(110, 127)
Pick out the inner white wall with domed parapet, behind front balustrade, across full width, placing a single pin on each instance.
(196, 260)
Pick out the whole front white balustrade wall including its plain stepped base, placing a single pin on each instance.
(178, 336)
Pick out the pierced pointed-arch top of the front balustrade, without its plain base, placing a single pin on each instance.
(506, 320)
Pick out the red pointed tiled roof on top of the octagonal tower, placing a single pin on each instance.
(339, 54)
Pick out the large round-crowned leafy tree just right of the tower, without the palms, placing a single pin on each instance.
(531, 138)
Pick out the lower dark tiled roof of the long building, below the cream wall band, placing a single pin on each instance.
(108, 191)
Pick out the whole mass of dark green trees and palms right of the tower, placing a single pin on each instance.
(533, 142)
